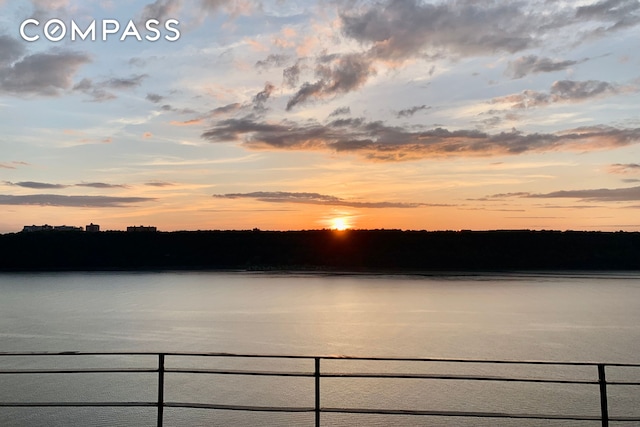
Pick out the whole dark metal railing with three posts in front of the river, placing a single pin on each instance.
(318, 374)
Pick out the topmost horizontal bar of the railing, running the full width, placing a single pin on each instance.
(327, 357)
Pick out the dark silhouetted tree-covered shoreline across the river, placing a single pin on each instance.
(352, 251)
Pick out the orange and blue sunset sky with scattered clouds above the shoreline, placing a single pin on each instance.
(279, 114)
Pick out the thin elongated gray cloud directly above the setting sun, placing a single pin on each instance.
(314, 199)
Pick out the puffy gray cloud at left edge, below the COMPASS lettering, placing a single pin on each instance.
(26, 76)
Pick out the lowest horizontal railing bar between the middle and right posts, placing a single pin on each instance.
(461, 414)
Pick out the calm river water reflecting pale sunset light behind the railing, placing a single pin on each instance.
(553, 316)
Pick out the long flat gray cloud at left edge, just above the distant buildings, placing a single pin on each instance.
(72, 201)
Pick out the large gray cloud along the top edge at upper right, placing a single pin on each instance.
(402, 29)
